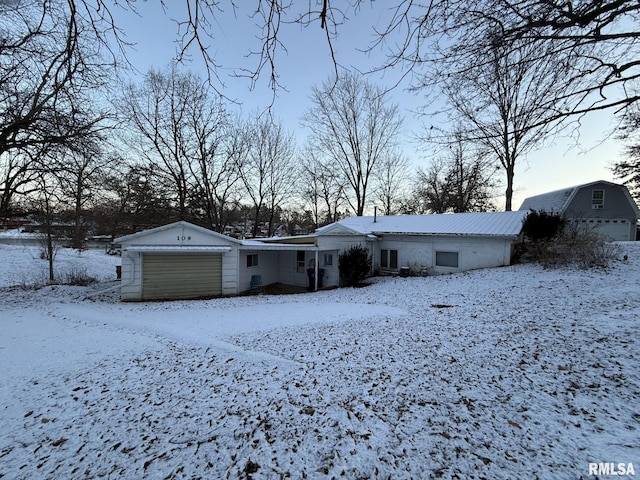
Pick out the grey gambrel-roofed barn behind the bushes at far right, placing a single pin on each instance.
(604, 208)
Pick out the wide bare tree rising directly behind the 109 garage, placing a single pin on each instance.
(180, 127)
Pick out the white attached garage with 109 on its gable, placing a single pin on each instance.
(178, 261)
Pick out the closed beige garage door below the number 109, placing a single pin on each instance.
(176, 276)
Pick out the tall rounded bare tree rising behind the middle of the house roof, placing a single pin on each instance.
(354, 123)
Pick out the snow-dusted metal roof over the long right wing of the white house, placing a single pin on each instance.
(472, 224)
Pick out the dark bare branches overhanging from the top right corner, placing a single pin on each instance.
(598, 38)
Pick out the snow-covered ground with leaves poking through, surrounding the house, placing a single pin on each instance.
(516, 372)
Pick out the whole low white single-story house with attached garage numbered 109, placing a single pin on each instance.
(182, 260)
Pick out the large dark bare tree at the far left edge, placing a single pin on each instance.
(49, 77)
